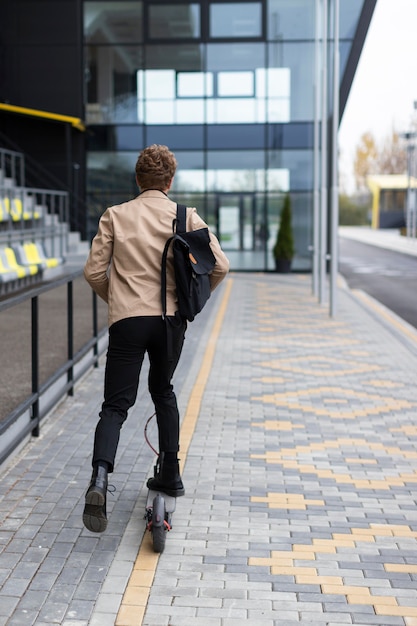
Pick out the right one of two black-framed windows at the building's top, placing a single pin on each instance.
(236, 19)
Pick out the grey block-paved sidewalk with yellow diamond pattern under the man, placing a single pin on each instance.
(299, 446)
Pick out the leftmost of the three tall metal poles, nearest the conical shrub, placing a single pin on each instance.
(316, 190)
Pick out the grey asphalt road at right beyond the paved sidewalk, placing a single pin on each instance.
(389, 277)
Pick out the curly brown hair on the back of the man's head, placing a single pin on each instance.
(155, 167)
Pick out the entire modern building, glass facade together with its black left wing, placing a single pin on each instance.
(241, 91)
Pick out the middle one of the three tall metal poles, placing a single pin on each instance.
(323, 197)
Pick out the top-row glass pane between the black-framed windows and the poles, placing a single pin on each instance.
(291, 19)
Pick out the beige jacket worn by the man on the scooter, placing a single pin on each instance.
(124, 263)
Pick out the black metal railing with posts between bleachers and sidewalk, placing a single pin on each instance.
(32, 404)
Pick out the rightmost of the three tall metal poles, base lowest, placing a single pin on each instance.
(334, 256)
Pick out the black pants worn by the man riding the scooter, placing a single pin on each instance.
(129, 339)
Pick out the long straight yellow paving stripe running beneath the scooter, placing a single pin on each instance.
(136, 595)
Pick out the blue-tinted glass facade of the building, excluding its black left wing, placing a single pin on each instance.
(230, 87)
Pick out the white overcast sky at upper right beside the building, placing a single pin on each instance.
(385, 85)
